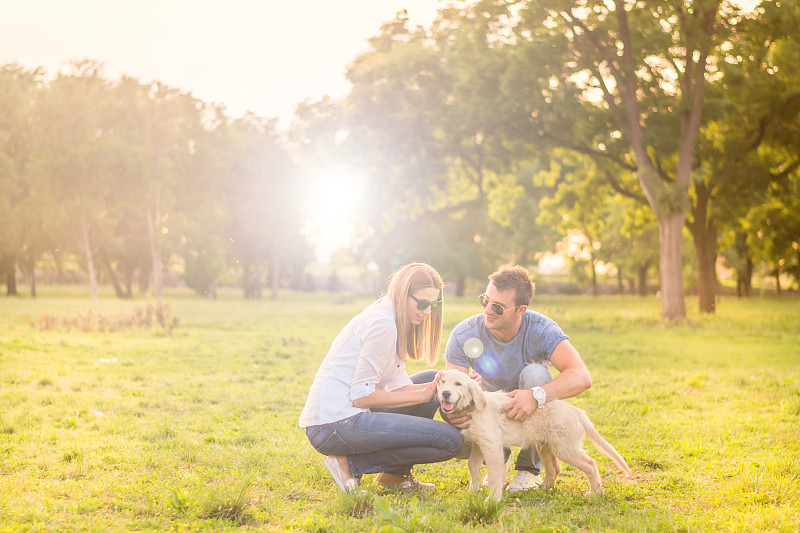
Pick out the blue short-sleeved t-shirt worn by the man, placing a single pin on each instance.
(500, 364)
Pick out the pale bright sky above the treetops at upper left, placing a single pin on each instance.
(261, 55)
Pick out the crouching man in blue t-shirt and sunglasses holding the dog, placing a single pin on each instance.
(518, 345)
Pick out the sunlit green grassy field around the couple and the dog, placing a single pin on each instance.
(133, 428)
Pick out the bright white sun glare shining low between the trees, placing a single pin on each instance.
(332, 202)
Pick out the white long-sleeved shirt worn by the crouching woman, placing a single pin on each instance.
(362, 358)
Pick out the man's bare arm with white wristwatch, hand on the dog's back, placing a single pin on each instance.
(574, 378)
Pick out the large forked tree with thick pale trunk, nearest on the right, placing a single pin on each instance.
(639, 95)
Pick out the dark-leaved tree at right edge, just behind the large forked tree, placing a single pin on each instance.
(749, 138)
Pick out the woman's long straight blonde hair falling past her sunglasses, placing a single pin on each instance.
(416, 341)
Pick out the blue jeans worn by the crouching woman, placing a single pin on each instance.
(390, 440)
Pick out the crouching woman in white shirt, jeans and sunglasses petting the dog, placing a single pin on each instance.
(363, 411)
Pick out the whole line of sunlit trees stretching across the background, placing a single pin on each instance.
(634, 139)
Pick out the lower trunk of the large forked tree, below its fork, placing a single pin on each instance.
(670, 240)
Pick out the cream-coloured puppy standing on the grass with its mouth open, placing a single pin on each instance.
(556, 430)
